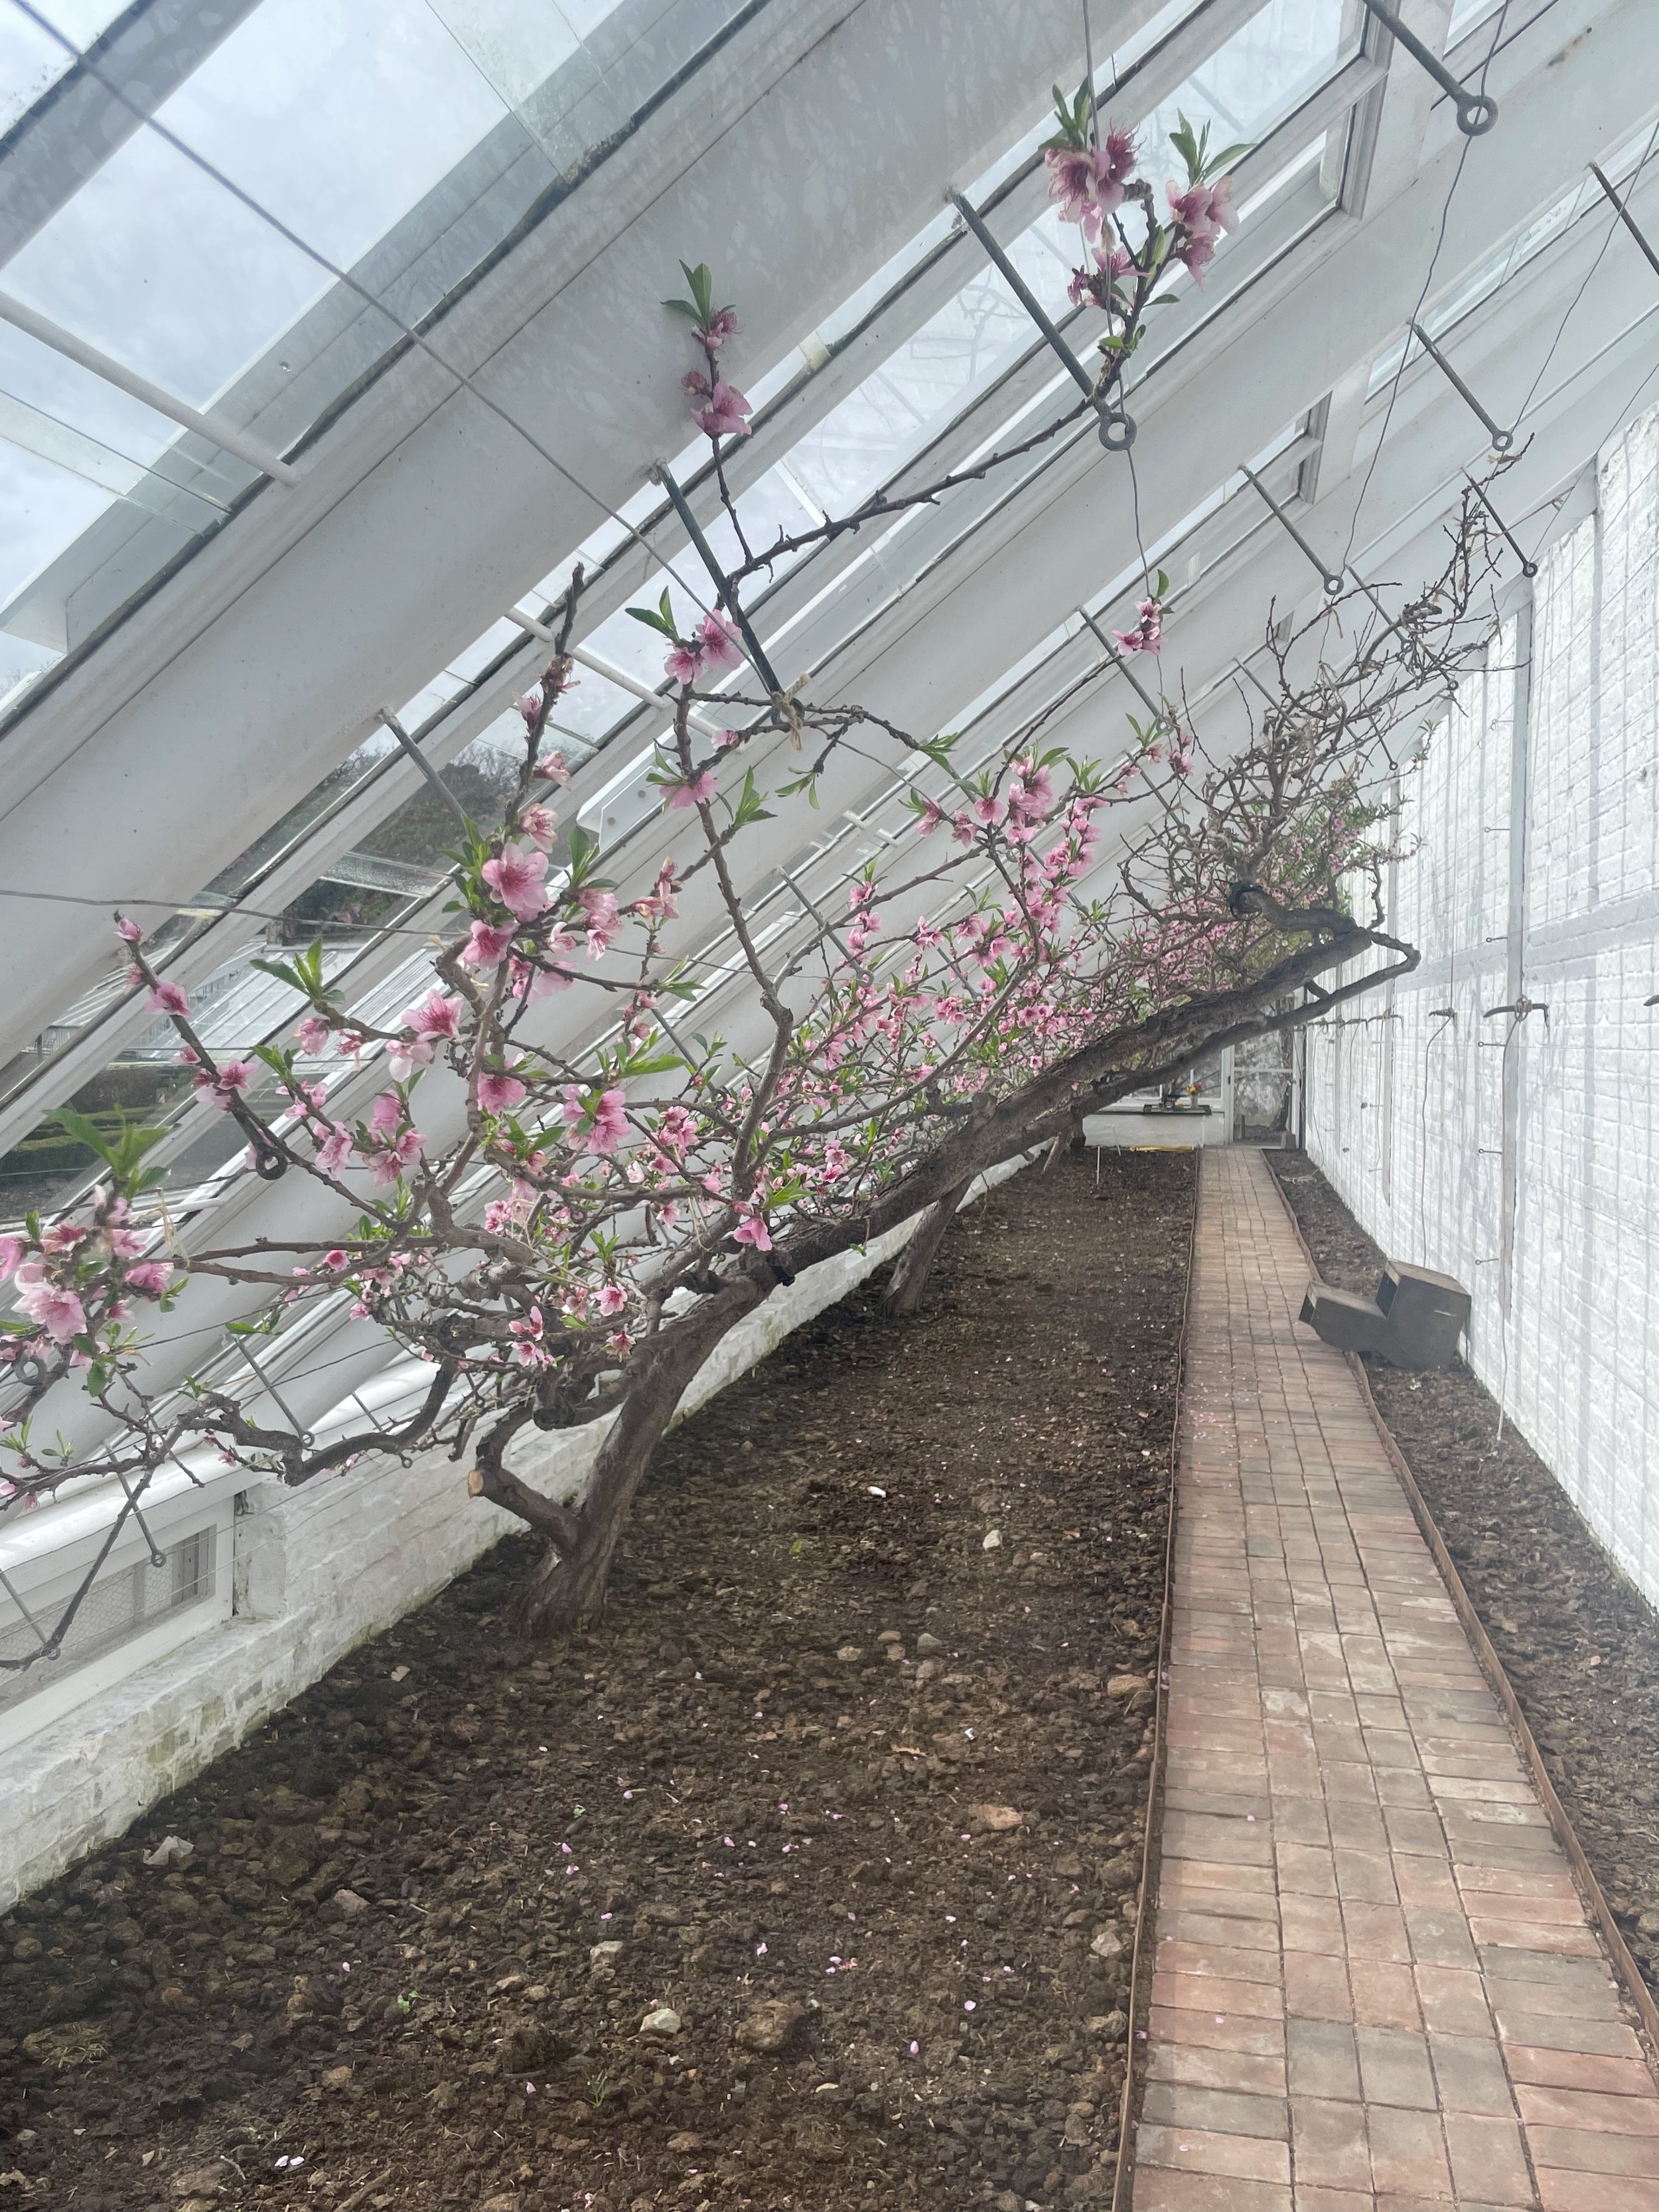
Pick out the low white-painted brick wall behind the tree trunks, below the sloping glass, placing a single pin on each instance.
(315, 1574)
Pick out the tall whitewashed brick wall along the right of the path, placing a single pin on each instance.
(1523, 1156)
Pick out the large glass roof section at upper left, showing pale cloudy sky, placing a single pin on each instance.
(395, 143)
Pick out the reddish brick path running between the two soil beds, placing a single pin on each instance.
(1377, 1987)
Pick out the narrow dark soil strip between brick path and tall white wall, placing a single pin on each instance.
(1576, 1636)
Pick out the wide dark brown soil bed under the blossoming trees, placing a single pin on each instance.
(432, 1906)
